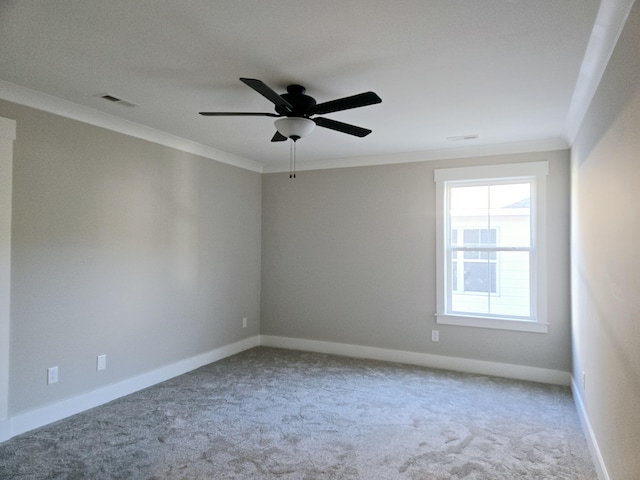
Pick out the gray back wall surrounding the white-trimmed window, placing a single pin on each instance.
(348, 255)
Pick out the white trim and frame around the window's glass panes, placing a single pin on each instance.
(536, 172)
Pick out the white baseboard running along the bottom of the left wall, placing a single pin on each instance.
(51, 413)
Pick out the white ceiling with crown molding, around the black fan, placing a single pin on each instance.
(507, 70)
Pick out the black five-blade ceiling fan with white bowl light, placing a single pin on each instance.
(294, 110)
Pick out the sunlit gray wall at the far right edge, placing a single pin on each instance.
(606, 260)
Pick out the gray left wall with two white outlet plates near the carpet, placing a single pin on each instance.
(126, 248)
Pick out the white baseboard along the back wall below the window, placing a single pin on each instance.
(519, 372)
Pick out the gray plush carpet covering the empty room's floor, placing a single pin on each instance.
(278, 414)
